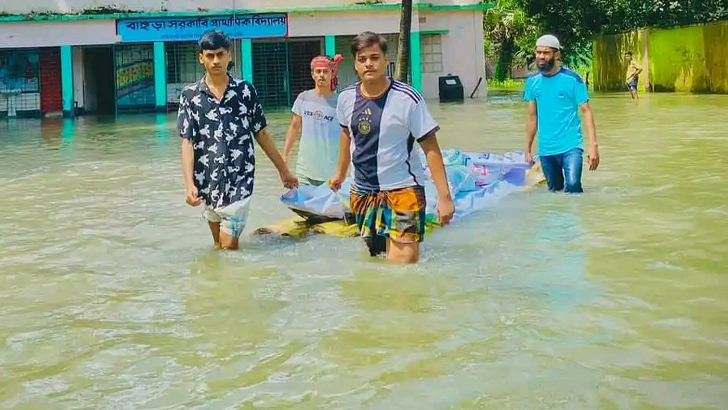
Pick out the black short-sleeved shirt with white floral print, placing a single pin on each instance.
(222, 133)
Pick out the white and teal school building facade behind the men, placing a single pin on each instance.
(138, 56)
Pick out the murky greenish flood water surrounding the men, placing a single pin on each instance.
(112, 298)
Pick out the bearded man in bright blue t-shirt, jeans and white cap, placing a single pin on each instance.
(555, 96)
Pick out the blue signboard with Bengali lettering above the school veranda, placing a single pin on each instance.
(191, 28)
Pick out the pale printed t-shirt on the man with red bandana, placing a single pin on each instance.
(318, 150)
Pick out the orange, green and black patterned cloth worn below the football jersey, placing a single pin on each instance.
(397, 214)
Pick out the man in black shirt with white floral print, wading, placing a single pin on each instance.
(218, 119)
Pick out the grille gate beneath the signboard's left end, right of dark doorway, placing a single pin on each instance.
(134, 66)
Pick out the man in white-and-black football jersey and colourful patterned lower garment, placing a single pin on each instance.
(384, 118)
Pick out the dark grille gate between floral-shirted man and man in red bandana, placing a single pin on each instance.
(282, 70)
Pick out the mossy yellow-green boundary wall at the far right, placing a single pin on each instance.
(686, 59)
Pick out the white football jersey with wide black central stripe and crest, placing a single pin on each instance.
(383, 134)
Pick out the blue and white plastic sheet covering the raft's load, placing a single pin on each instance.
(477, 180)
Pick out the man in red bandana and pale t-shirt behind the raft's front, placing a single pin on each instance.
(314, 119)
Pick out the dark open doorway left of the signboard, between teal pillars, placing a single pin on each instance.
(99, 81)
